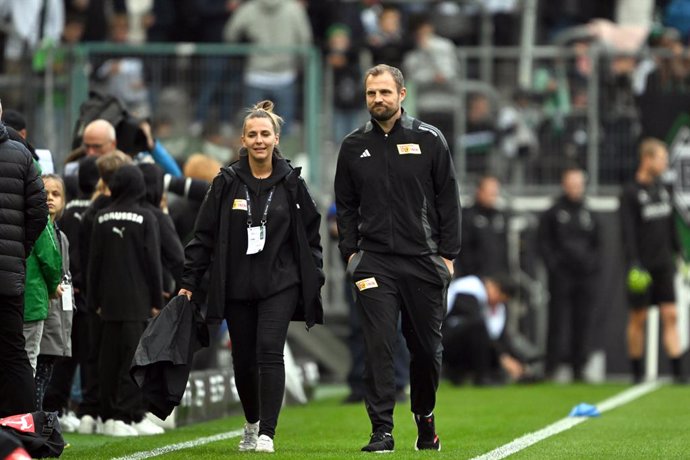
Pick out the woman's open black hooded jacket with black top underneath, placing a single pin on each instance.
(292, 254)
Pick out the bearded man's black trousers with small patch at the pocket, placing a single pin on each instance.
(414, 288)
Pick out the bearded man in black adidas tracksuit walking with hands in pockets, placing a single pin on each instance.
(398, 215)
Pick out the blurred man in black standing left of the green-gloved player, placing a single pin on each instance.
(569, 244)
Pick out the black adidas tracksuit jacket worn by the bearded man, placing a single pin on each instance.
(396, 193)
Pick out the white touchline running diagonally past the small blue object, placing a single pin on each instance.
(568, 422)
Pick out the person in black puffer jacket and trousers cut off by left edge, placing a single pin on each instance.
(23, 216)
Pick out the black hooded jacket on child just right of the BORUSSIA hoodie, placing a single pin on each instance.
(172, 252)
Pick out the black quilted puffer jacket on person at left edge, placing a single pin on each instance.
(24, 212)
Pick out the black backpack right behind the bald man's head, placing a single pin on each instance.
(130, 138)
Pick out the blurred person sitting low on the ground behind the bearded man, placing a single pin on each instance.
(476, 339)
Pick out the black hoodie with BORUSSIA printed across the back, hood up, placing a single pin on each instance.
(124, 277)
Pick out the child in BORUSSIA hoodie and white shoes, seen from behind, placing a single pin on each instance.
(124, 288)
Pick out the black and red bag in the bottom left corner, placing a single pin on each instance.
(39, 432)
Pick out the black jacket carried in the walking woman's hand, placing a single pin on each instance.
(163, 359)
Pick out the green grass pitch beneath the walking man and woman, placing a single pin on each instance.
(470, 421)
